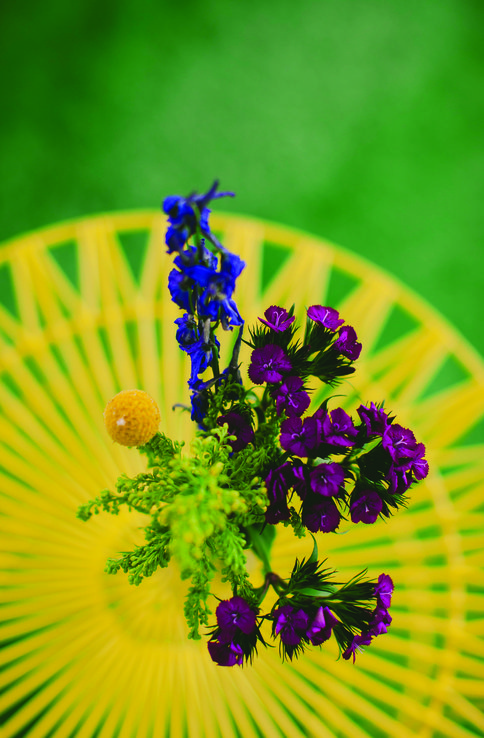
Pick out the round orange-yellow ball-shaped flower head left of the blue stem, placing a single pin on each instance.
(132, 417)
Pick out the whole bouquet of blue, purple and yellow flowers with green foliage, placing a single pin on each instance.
(262, 456)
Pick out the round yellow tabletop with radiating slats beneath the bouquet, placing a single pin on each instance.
(84, 313)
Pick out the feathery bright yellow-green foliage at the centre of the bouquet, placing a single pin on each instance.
(198, 505)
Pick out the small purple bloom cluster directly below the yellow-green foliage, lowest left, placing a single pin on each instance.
(236, 634)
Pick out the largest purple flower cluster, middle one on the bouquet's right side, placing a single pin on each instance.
(380, 477)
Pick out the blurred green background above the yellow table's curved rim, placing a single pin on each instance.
(358, 120)
